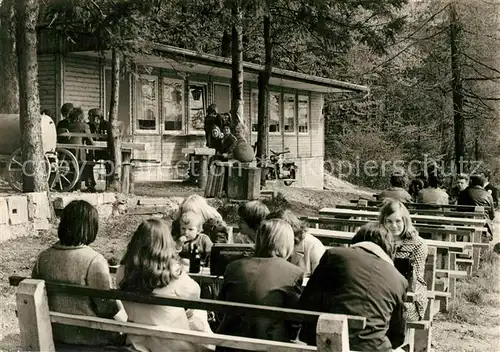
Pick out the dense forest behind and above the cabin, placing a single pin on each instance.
(432, 66)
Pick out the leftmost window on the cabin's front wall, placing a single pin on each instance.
(147, 103)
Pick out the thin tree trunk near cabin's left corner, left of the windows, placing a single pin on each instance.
(114, 134)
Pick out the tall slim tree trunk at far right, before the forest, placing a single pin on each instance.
(458, 118)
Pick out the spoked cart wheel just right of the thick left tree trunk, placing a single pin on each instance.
(67, 171)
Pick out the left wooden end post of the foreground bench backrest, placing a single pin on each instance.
(34, 317)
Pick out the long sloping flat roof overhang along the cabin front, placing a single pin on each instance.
(187, 61)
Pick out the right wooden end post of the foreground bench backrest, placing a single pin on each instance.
(332, 334)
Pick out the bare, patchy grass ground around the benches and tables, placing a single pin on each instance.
(476, 328)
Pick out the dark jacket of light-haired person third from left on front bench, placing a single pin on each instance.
(262, 281)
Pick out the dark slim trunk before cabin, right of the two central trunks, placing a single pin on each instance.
(263, 112)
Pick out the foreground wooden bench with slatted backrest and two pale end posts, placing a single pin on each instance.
(35, 320)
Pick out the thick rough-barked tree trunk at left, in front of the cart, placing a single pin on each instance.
(34, 171)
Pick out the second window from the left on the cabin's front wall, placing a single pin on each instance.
(173, 104)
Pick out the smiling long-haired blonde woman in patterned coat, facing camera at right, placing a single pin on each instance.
(409, 246)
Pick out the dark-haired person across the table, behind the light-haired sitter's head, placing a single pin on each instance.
(251, 216)
